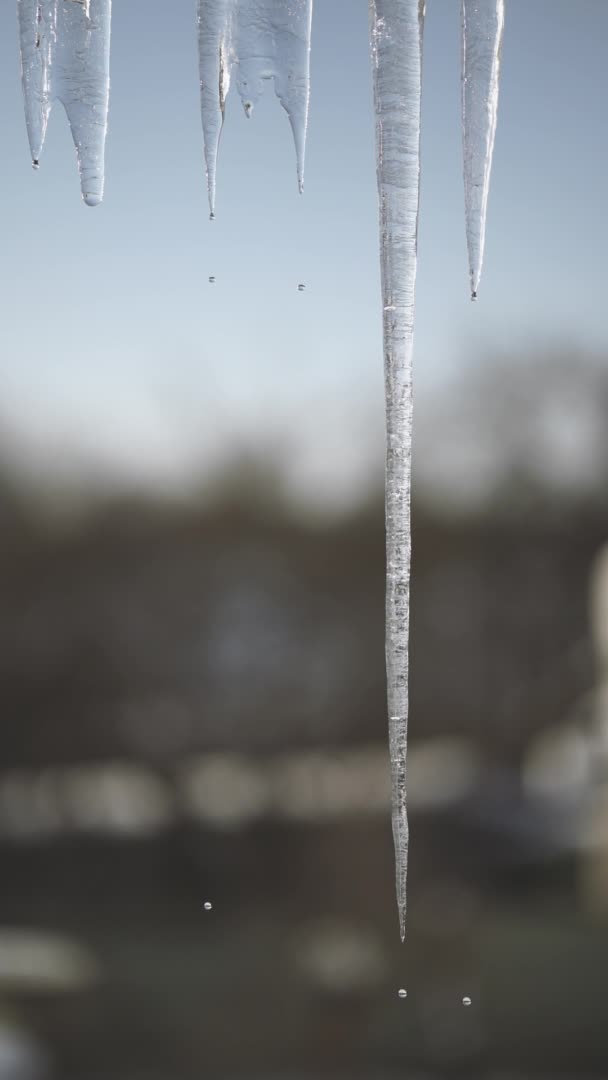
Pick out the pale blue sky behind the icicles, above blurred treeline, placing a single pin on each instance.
(120, 360)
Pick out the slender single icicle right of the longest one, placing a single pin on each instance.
(483, 23)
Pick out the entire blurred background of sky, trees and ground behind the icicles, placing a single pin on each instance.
(196, 859)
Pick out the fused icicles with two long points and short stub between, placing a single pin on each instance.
(256, 40)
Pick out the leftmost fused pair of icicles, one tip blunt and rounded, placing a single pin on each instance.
(65, 47)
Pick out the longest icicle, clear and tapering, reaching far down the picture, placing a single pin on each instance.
(397, 59)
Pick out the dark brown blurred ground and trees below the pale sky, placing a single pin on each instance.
(193, 709)
